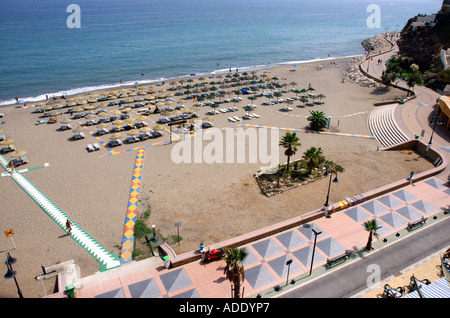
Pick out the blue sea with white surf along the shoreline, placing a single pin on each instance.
(55, 47)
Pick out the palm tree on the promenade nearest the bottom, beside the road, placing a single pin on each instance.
(234, 270)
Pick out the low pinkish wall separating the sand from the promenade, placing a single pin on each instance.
(416, 145)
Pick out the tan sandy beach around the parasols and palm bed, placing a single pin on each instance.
(213, 201)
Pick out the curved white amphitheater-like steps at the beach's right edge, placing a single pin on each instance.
(382, 125)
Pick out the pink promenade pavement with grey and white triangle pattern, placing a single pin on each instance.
(265, 266)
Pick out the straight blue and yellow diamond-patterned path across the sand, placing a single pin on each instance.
(131, 215)
